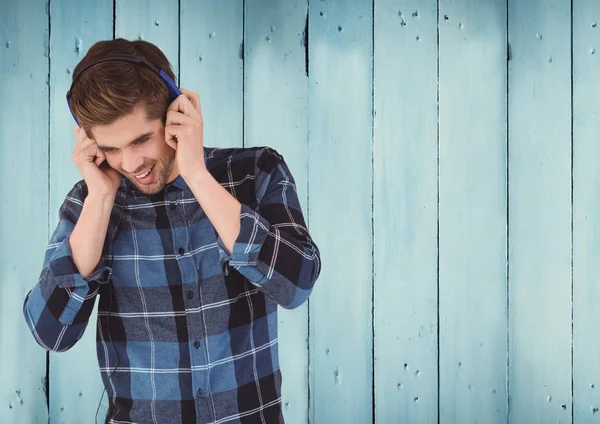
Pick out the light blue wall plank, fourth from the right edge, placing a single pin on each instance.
(405, 212)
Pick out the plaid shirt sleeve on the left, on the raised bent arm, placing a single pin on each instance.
(58, 307)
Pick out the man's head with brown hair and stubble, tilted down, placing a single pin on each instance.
(122, 107)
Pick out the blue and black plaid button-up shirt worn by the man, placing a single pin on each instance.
(186, 331)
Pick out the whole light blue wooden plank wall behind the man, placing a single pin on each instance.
(446, 155)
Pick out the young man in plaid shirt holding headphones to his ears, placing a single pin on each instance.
(190, 250)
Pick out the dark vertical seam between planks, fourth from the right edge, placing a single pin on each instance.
(373, 112)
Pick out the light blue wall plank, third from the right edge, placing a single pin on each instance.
(472, 210)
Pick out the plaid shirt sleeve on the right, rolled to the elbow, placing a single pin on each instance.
(274, 249)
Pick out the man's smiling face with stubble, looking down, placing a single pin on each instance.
(133, 156)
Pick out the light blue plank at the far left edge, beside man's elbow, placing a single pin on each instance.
(23, 203)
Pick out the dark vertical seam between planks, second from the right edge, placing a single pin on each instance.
(508, 57)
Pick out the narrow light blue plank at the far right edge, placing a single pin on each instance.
(586, 209)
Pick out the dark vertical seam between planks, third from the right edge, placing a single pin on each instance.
(438, 203)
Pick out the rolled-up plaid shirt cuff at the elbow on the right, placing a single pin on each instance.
(246, 248)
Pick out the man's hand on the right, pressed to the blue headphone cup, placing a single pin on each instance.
(184, 132)
